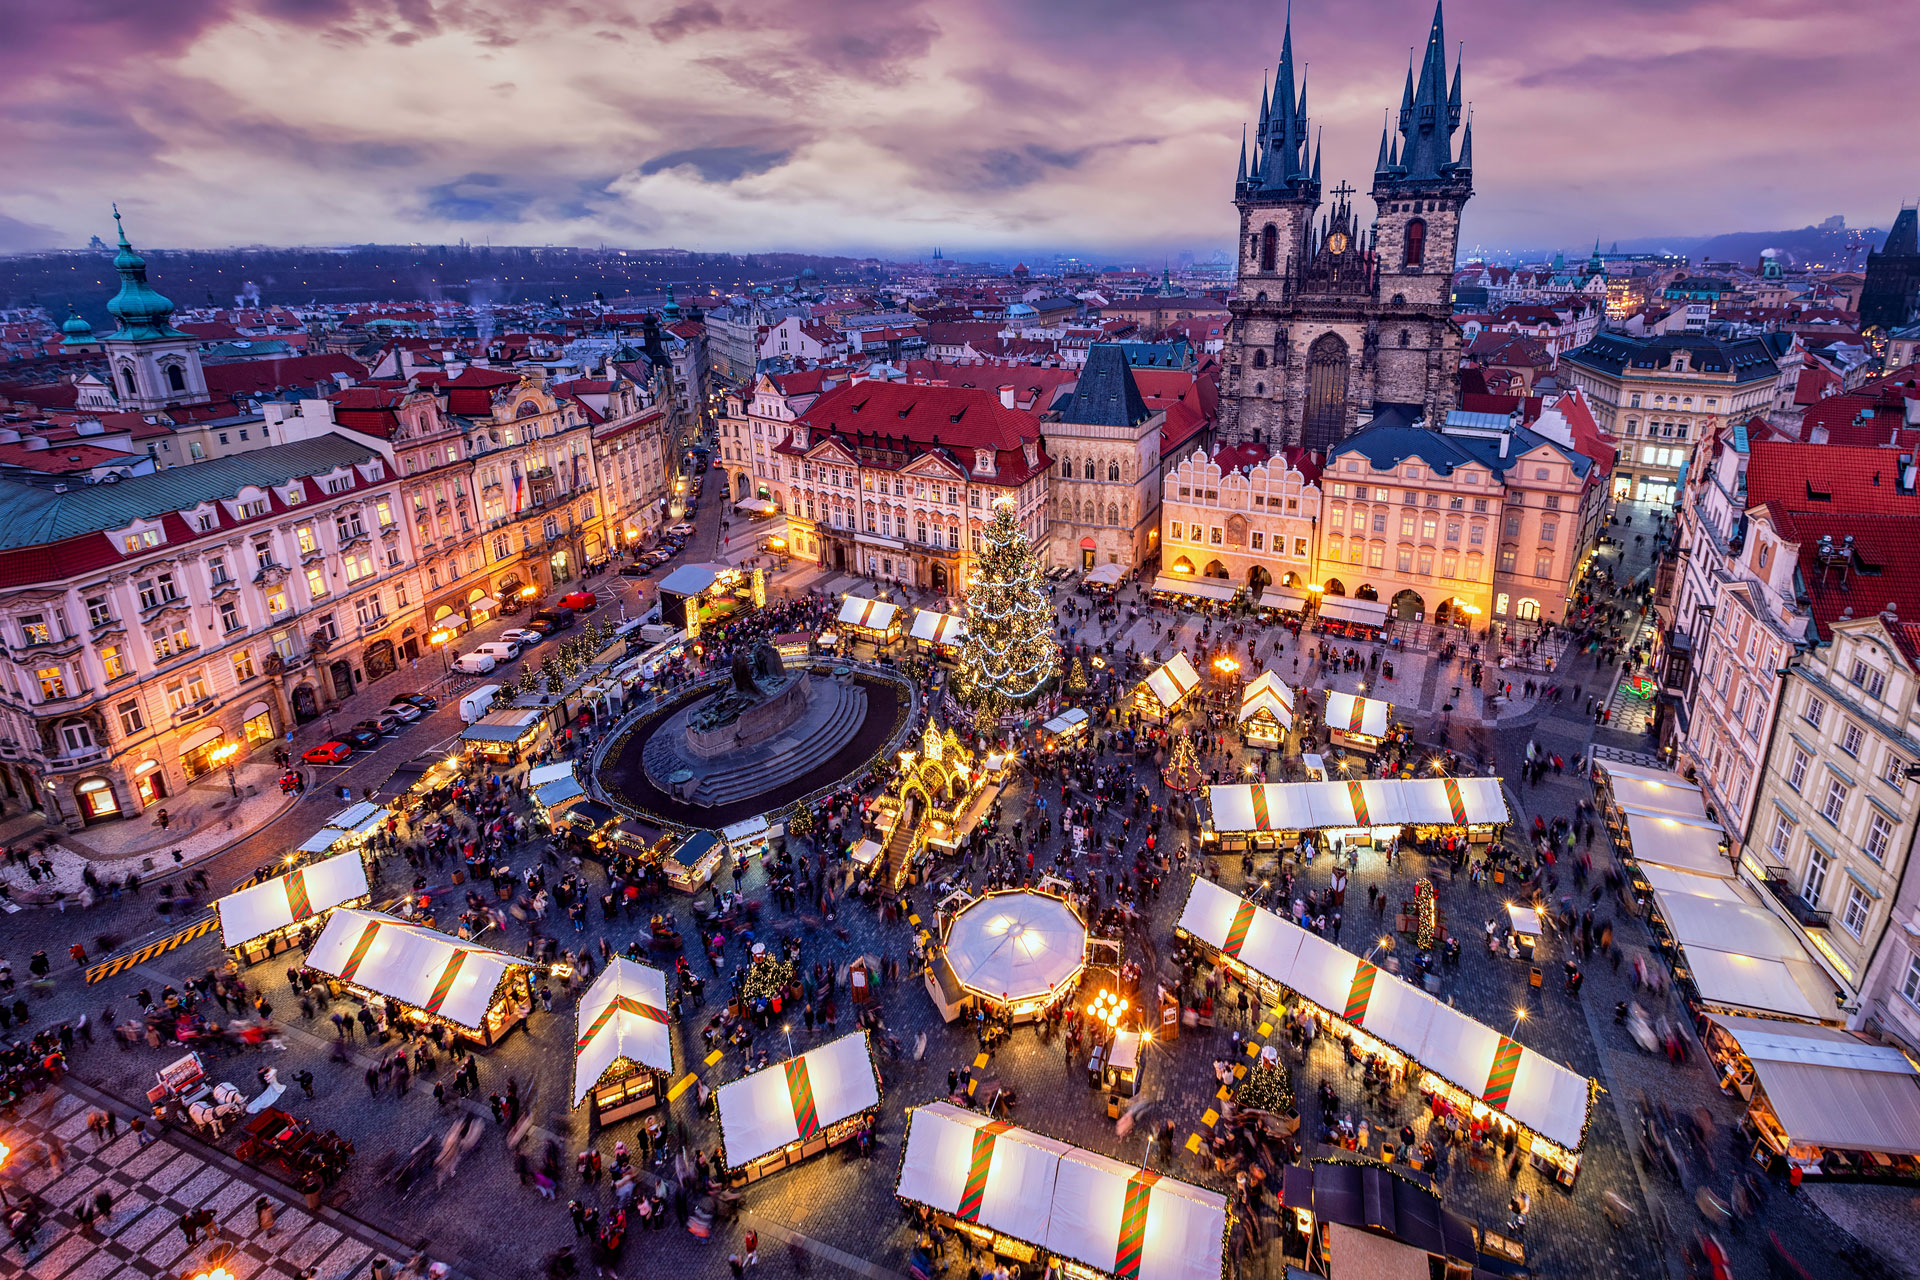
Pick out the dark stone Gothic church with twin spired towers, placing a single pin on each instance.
(1332, 320)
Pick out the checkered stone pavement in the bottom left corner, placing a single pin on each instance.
(149, 1191)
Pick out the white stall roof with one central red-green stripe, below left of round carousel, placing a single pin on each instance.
(796, 1099)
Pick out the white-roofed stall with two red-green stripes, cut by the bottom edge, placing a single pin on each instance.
(1047, 1204)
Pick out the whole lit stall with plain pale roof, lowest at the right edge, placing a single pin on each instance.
(1821, 1102)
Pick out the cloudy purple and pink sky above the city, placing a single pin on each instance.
(898, 126)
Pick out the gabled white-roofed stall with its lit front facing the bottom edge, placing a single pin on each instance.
(623, 1041)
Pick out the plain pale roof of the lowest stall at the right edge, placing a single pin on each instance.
(1833, 1091)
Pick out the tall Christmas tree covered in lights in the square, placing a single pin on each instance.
(1009, 653)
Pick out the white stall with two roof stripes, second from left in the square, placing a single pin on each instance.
(423, 974)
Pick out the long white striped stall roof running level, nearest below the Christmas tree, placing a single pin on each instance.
(1372, 803)
